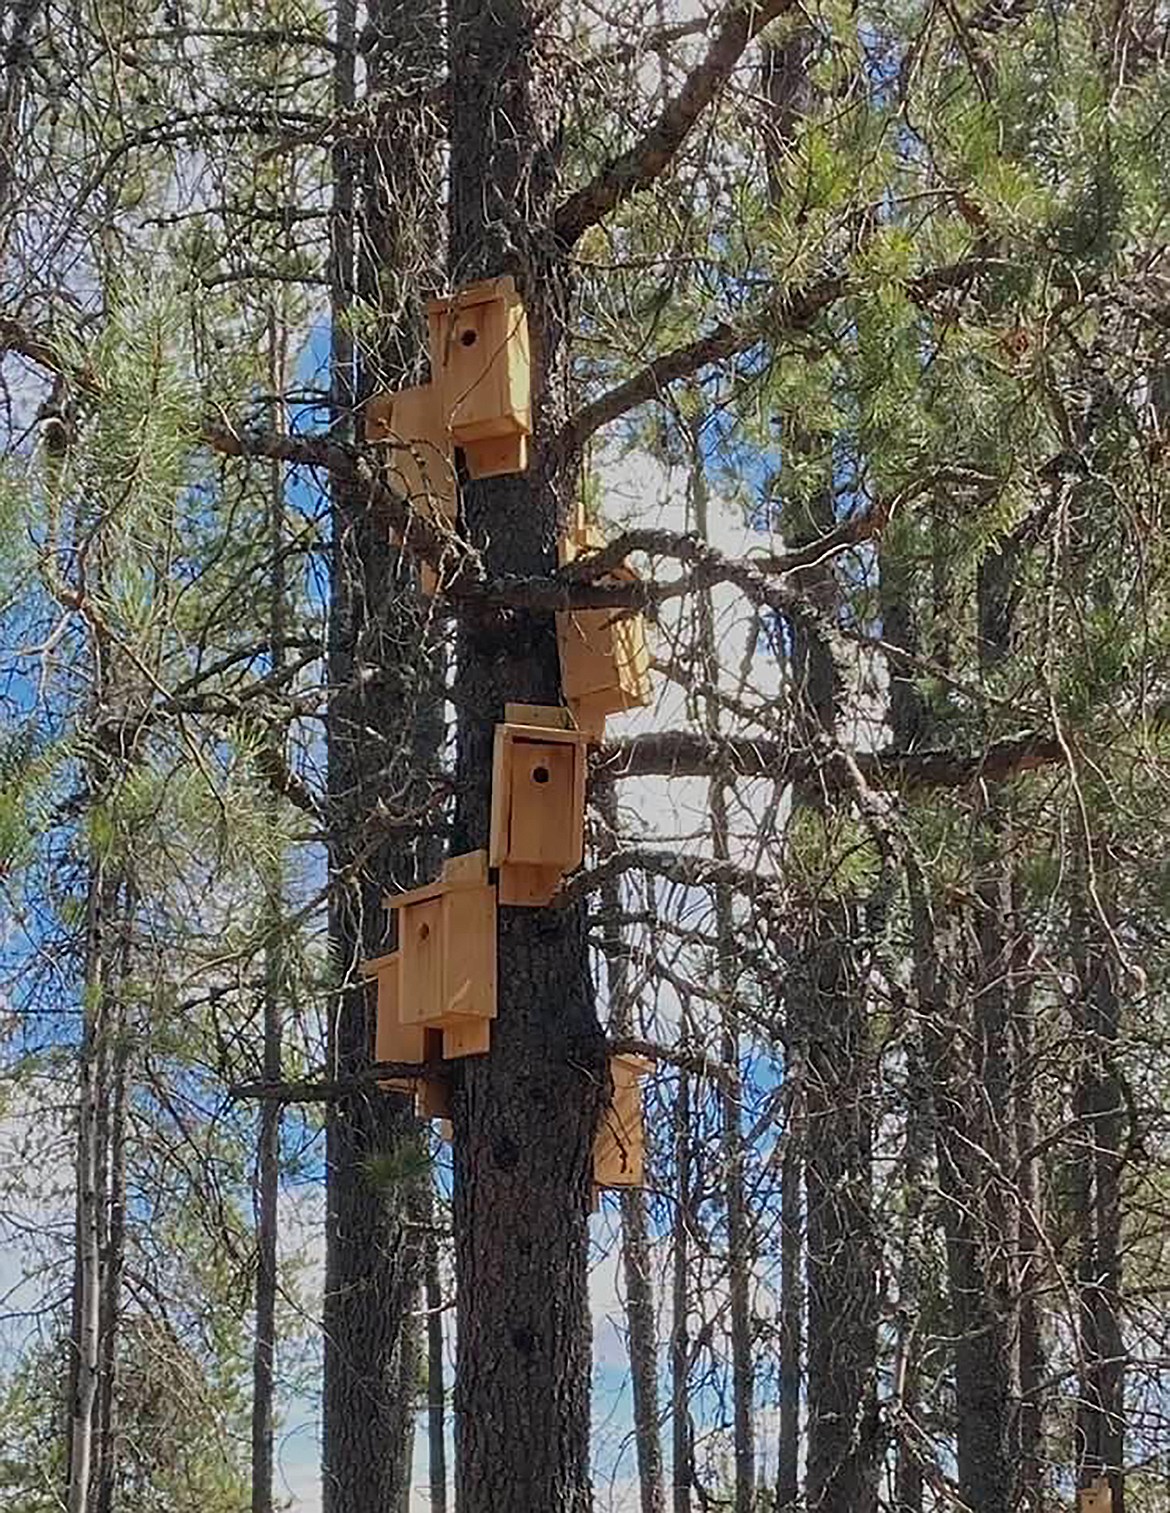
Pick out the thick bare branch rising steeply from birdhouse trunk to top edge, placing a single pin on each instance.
(649, 160)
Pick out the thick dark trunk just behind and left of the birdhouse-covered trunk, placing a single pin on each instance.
(384, 727)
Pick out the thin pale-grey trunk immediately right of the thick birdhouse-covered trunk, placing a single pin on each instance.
(636, 1250)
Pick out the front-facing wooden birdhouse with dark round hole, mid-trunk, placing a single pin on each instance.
(538, 803)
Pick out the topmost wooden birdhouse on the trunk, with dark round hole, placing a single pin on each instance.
(479, 347)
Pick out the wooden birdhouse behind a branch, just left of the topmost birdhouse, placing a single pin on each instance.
(420, 459)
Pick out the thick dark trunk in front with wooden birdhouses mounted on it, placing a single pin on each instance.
(526, 1114)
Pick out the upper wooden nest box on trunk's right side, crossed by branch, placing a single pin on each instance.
(605, 662)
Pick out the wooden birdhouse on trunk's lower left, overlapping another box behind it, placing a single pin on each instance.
(447, 949)
